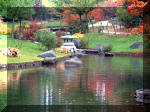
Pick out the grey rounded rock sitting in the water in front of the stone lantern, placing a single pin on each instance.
(73, 61)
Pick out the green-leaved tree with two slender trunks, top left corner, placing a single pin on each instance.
(14, 10)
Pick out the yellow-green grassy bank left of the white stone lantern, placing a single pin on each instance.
(28, 50)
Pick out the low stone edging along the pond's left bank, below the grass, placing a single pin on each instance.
(27, 64)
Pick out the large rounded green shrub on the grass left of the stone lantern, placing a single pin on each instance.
(46, 38)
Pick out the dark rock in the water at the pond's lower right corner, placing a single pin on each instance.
(143, 95)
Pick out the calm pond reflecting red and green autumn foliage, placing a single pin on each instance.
(100, 81)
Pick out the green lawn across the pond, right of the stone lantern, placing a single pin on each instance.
(119, 44)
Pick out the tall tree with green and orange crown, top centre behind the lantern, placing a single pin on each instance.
(81, 8)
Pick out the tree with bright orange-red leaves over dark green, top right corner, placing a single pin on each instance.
(131, 12)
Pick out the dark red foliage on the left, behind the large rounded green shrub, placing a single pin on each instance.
(28, 30)
